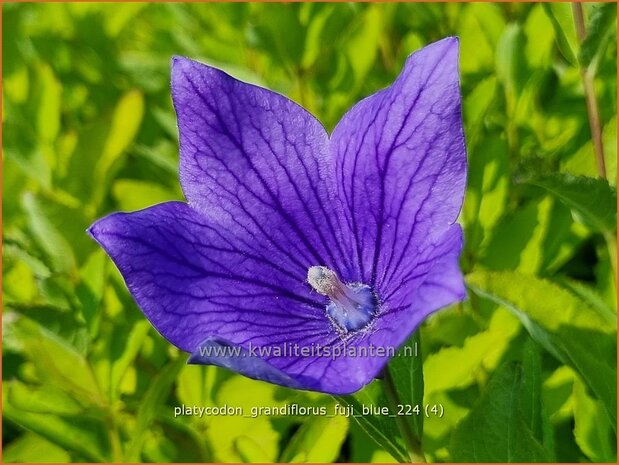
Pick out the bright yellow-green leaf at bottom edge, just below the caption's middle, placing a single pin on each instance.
(317, 441)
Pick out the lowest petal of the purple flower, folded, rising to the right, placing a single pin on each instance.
(343, 365)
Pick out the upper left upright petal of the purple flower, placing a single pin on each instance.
(257, 164)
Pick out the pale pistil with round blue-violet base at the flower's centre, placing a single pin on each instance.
(351, 306)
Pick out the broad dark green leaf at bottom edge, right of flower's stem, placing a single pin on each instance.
(494, 430)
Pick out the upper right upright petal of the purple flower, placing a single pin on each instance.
(401, 166)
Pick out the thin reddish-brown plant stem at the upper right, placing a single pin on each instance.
(592, 104)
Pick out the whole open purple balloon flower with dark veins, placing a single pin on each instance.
(295, 246)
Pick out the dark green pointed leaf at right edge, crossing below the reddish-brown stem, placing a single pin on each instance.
(593, 200)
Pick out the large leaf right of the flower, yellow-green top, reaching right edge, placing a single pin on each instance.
(563, 324)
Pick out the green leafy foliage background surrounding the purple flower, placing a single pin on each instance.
(525, 369)
